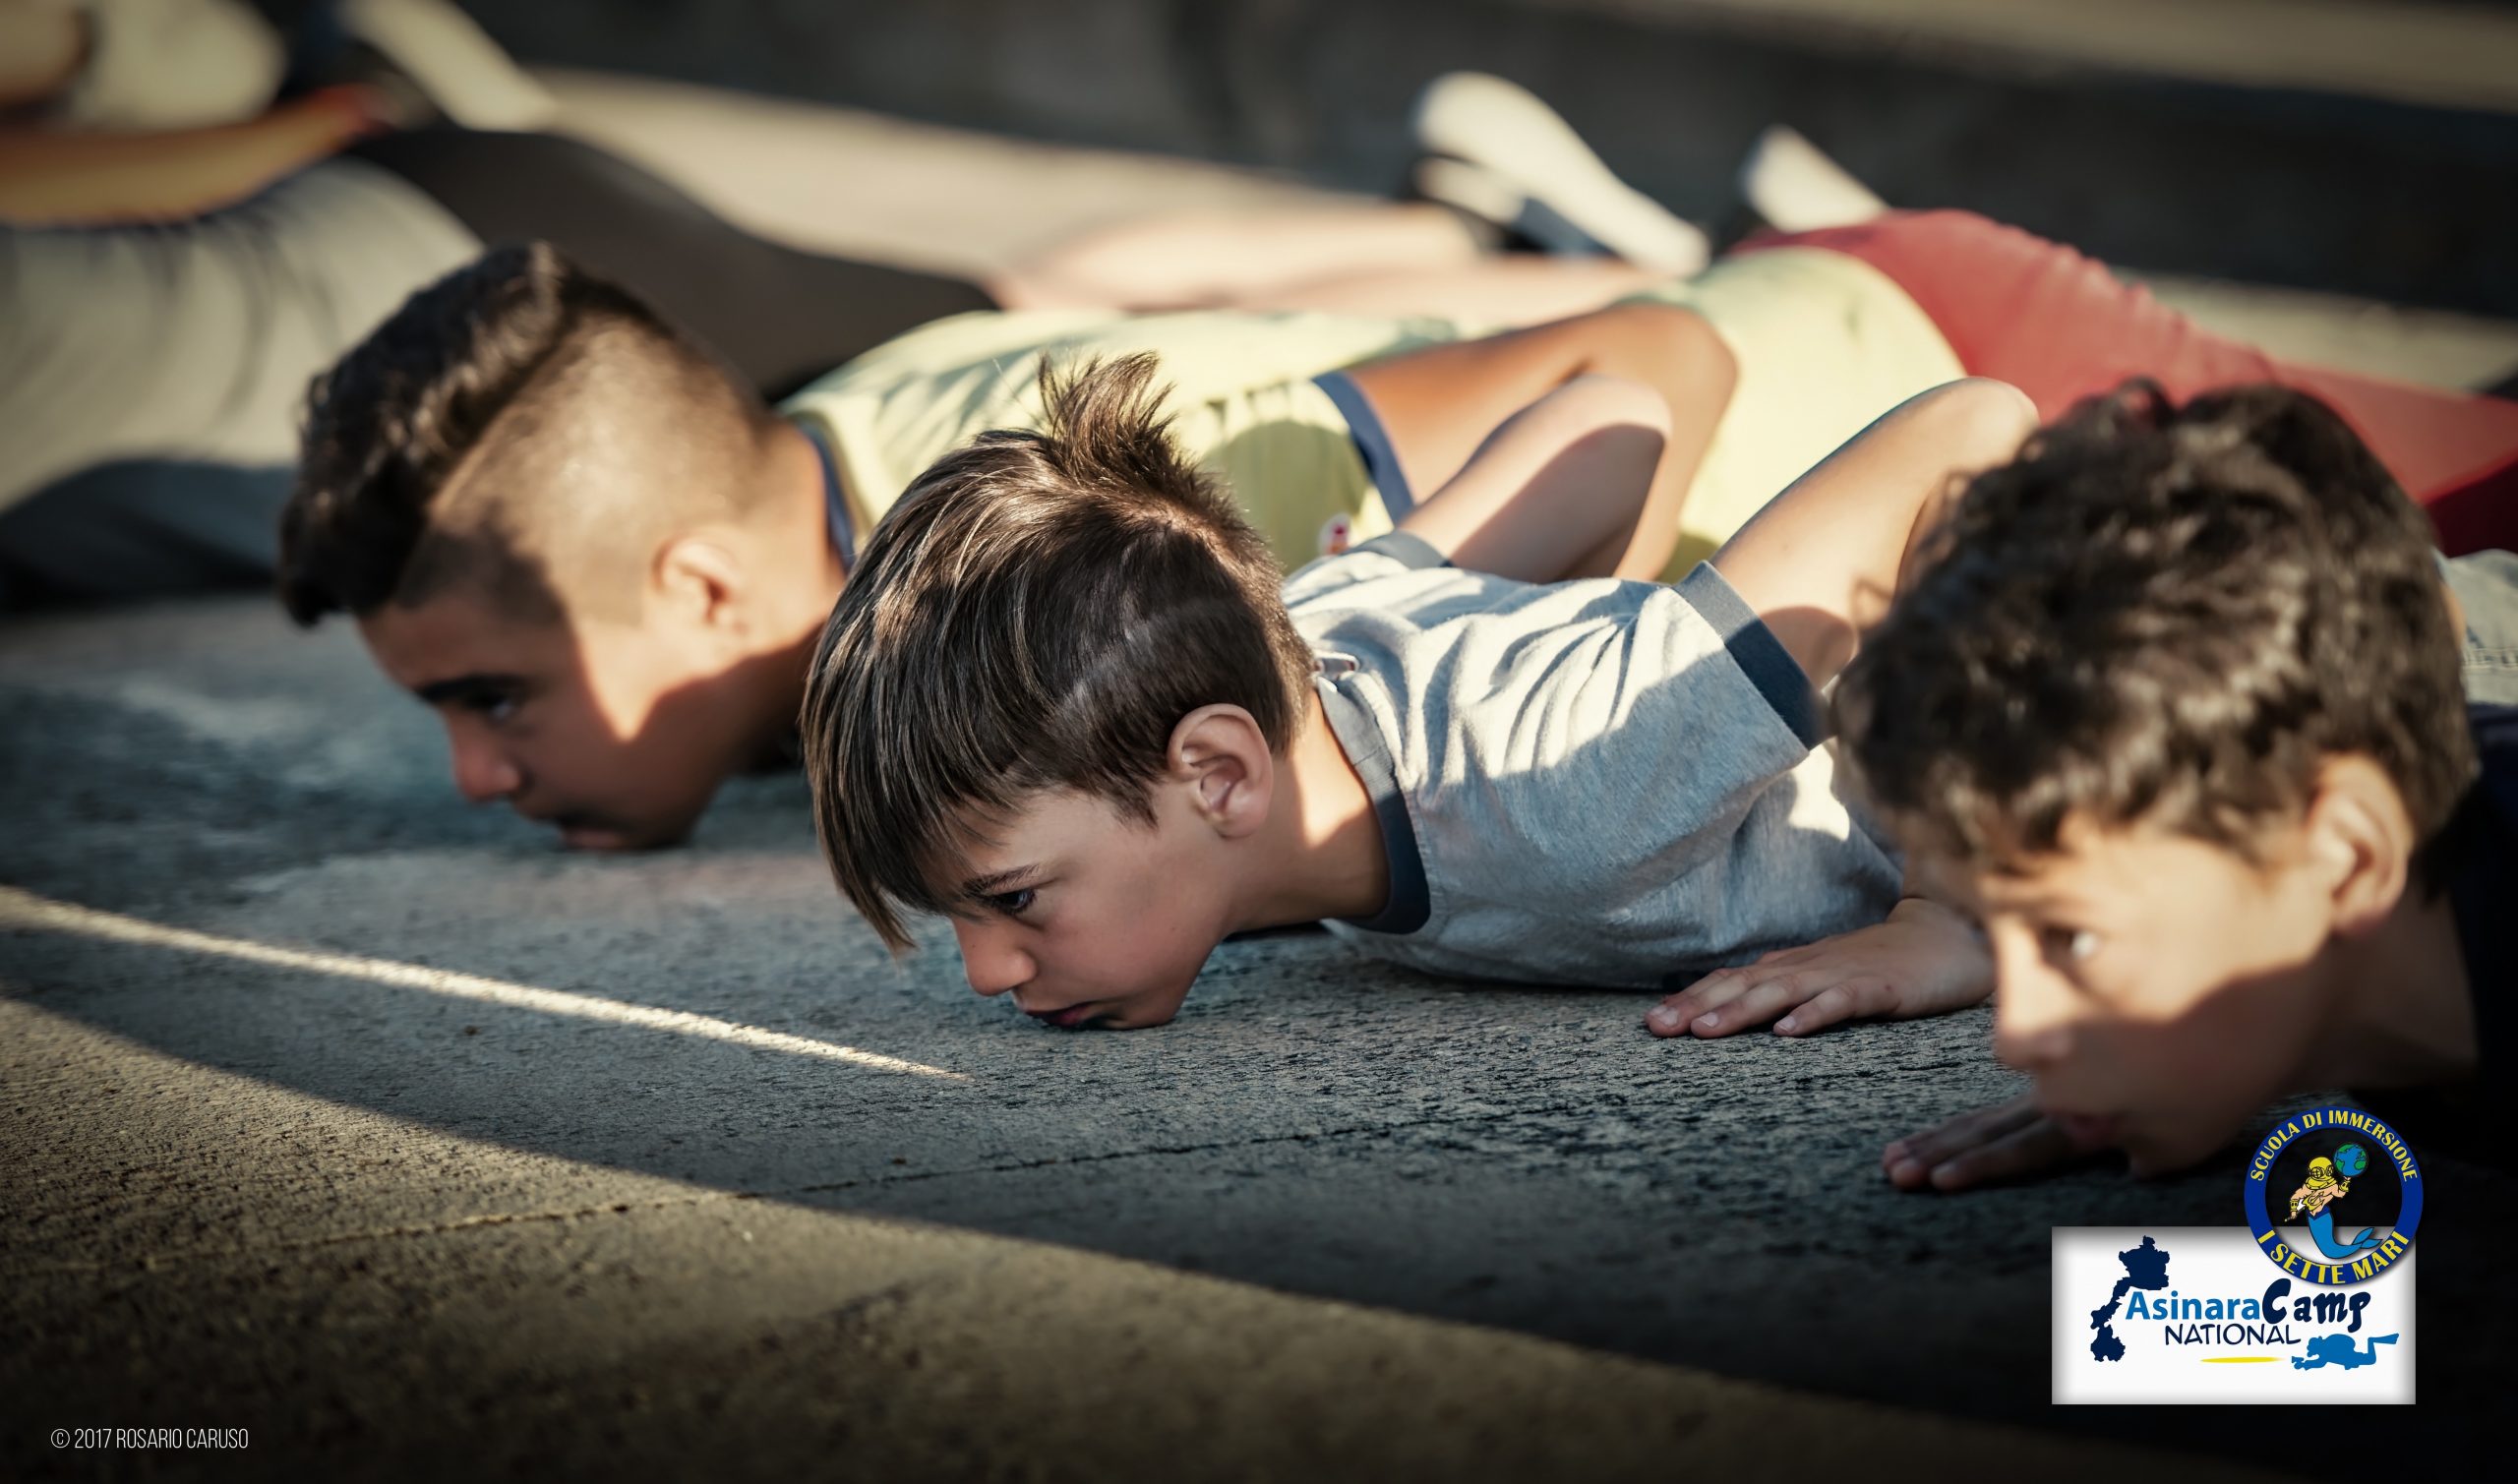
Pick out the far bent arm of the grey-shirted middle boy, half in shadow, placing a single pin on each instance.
(1557, 488)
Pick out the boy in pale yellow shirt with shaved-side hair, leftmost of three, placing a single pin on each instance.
(603, 558)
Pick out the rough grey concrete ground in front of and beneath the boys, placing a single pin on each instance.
(381, 1130)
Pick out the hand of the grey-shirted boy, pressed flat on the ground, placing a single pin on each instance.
(1922, 961)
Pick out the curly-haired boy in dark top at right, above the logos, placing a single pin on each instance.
(2177, 712)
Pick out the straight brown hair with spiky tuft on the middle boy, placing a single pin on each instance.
(1039, 611)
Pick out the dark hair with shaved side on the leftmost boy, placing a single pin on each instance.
(520, 359)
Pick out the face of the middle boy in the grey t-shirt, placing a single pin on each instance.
(1087, 916)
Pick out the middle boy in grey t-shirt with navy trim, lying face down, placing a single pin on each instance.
(1066, 704)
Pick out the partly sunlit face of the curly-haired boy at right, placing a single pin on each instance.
(2159, 989)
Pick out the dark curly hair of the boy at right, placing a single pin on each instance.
(2162, 614)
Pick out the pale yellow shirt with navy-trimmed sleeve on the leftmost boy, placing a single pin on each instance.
(1824, 346)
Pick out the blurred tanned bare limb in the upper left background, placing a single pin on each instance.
(92, 180)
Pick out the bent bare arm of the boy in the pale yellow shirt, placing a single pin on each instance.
(1439, 404)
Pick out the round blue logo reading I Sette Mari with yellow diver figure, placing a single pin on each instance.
(2333, 1196)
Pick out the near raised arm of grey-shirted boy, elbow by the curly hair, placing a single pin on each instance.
(1822, 561)
